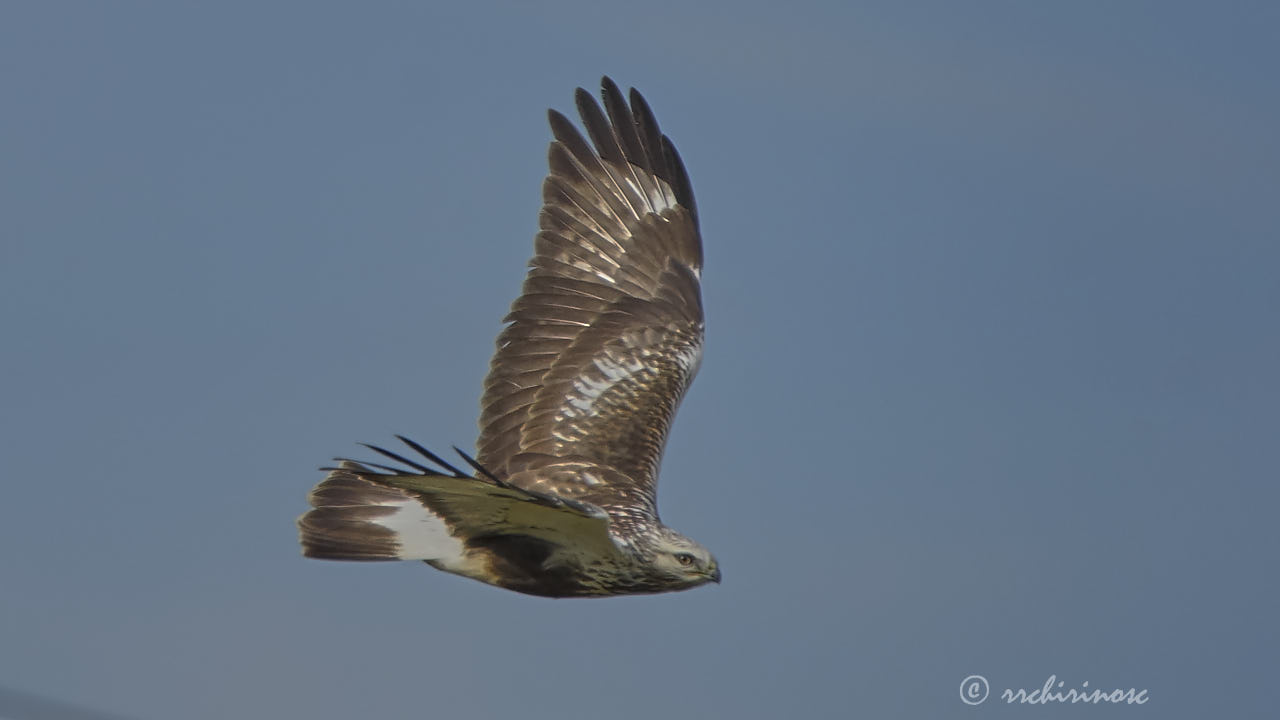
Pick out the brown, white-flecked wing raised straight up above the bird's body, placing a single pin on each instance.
(607, 334)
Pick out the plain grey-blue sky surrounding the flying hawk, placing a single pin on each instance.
(991, 380)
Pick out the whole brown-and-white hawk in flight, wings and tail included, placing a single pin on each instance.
(597, 354)
